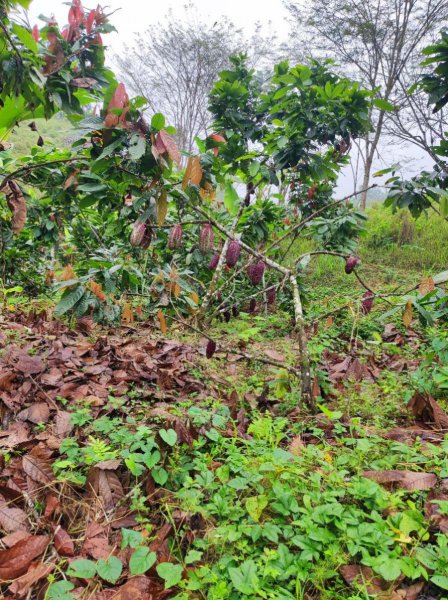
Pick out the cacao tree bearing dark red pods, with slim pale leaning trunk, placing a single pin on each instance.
(194, 243)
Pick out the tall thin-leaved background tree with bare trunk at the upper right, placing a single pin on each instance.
(376, 41)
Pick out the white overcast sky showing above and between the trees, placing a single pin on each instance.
(132, 16)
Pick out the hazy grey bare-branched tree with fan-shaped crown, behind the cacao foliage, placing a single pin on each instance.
(174, 64)
